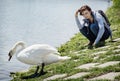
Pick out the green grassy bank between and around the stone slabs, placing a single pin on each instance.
(76, 49)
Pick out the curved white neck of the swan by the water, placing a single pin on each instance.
(18, 47)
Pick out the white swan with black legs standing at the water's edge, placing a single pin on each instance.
(38, 54)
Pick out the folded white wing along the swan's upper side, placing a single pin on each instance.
(40, 49)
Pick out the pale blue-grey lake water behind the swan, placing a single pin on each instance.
(37, 21)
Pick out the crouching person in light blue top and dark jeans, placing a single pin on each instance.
(93, 27)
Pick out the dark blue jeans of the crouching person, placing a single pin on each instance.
(91, 33)
